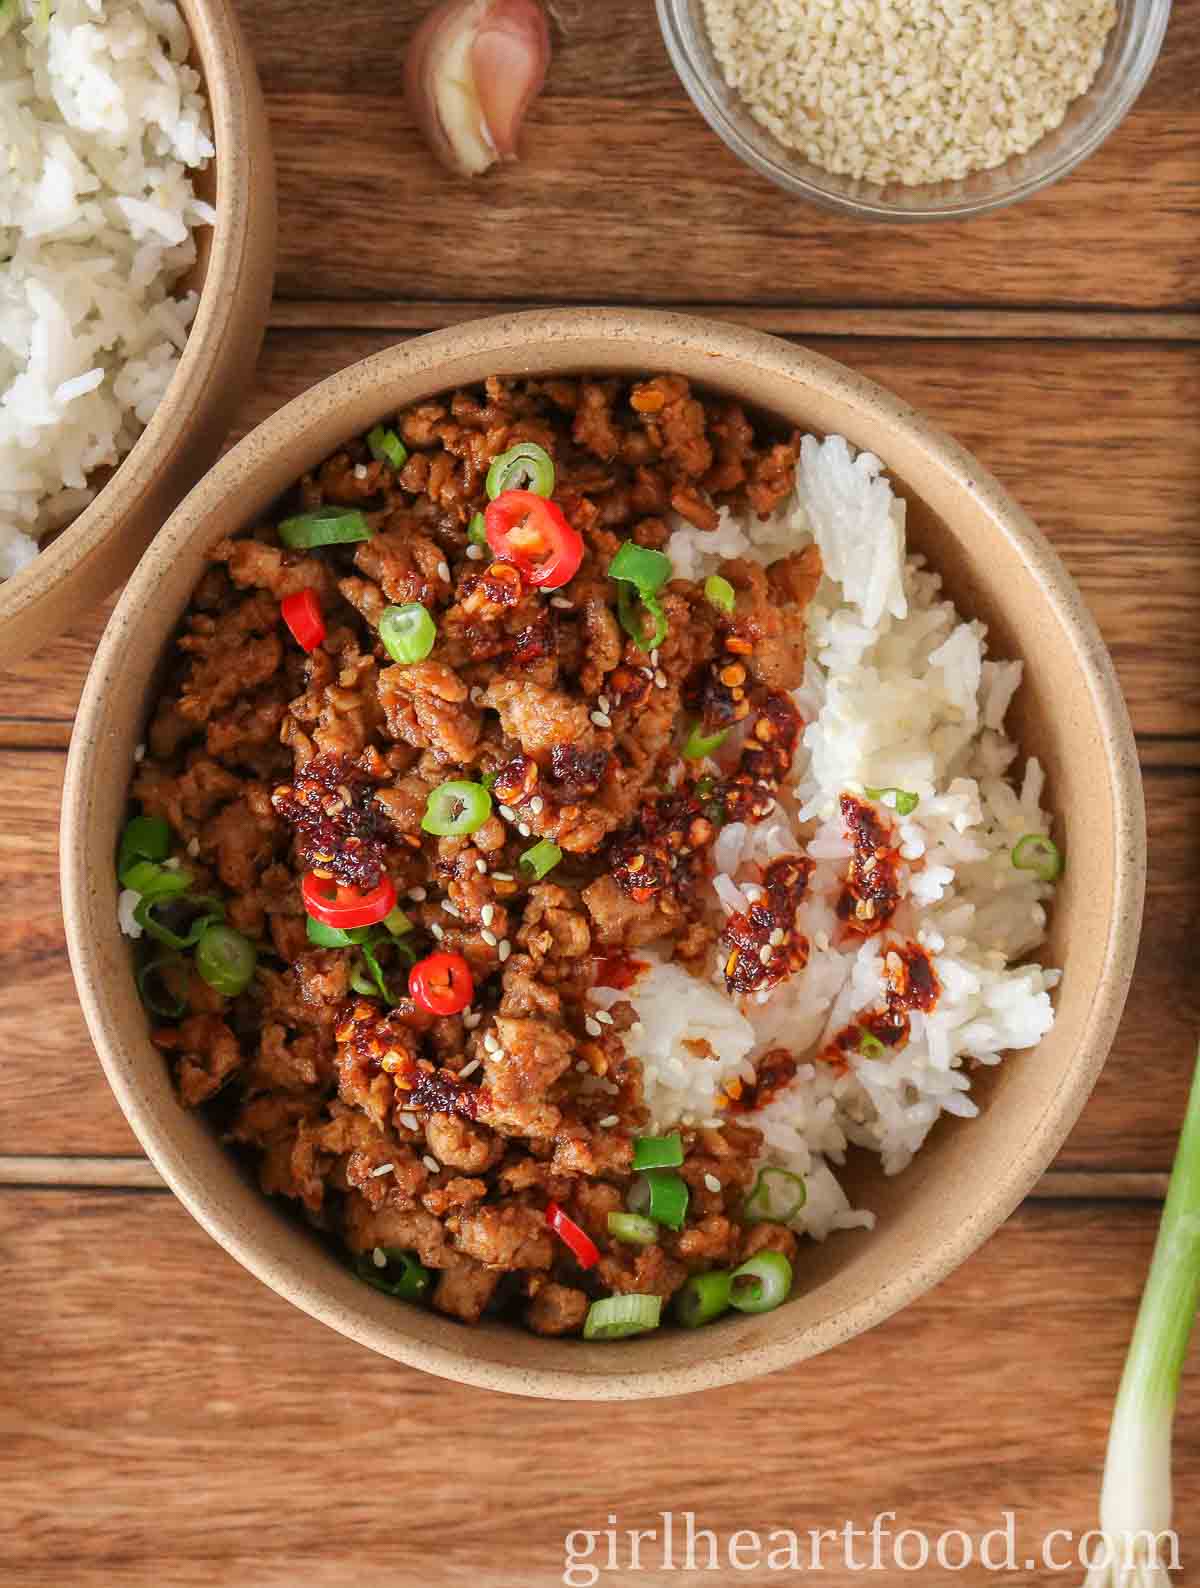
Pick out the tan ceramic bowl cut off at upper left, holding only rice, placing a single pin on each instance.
(234, 276)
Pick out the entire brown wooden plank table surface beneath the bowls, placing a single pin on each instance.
(164, 1419)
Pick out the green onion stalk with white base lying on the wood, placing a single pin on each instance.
(1136, 1501)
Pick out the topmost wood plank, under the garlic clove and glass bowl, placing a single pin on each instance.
(637, 201)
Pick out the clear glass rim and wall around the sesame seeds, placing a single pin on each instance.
(699, 90)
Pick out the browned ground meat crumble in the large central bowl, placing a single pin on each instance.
(448, 1136)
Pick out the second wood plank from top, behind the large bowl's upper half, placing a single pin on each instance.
(1098, 441)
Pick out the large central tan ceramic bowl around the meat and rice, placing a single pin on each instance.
(972, 1174)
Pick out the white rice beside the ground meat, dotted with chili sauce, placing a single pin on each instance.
(899, 693)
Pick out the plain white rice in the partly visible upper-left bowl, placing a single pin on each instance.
(101, 123)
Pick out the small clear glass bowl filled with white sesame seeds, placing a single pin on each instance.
(944, 112)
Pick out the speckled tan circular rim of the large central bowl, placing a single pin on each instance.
(502, 339)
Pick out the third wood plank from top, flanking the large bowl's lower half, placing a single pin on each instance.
(55, 1100)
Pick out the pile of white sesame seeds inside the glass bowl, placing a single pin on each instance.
(909, 91)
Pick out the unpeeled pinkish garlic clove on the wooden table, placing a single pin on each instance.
(474, 69)
